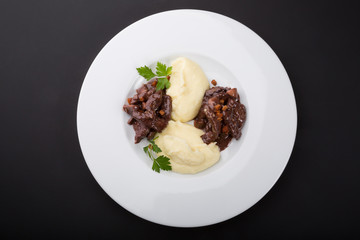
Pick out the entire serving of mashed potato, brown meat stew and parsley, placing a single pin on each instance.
(173, 96)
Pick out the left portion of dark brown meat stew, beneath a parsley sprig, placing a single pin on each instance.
(150, 110)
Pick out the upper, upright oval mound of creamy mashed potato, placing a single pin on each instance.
(188, 85)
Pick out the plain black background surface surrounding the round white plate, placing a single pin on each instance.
(47, 191)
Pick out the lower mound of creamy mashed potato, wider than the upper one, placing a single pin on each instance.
(182, 143)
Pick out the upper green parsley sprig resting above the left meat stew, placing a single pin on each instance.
(162, 73)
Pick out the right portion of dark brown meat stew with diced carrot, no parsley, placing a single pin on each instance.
(222, 116)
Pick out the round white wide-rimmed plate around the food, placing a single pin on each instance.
(228, 52)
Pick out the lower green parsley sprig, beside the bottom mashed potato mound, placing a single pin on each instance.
(161, 162)
